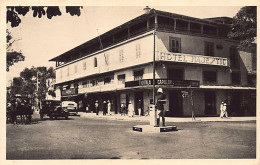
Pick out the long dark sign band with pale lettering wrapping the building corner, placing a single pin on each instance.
(163, 83)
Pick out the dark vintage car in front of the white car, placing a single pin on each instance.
(53, 109)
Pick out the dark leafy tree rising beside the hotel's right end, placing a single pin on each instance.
(244, 26)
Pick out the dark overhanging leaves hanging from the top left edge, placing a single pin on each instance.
(13, 13)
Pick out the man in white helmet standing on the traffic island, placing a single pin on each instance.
(160, 108)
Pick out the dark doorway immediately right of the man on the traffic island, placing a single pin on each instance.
(175, 104)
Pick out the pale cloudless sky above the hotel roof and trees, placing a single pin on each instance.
(43, 38)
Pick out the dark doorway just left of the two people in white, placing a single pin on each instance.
(210, 103)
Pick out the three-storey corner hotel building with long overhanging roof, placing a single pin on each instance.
(188, 56)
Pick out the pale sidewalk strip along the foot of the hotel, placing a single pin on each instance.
(168, 119)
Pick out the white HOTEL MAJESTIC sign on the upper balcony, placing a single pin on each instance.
(195, 59)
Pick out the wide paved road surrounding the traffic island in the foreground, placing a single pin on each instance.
(81, 138)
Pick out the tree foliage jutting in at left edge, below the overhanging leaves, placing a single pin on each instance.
(12, 56)
